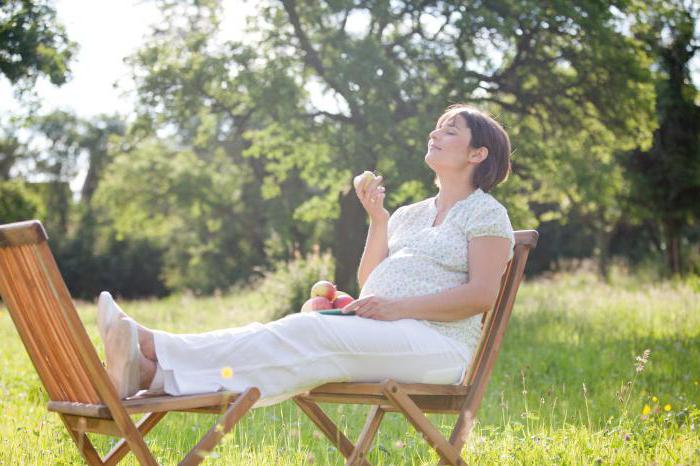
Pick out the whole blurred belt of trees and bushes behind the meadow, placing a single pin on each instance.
(230, 169)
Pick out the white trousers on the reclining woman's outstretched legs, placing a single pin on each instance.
(301, 351)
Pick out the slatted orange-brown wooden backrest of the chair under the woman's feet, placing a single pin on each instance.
(45, 317)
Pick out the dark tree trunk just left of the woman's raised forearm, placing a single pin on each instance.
(349, 242)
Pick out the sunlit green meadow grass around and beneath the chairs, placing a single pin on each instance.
(566, 333)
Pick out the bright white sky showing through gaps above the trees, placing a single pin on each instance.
(107, 31)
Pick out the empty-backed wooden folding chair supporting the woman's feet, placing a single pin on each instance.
(77, 384)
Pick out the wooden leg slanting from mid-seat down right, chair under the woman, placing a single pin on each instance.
(422, 424)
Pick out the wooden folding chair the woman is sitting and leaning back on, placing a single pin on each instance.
(413, 400)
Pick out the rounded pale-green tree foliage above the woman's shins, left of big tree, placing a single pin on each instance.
(188, 207)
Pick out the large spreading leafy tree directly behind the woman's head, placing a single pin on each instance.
(557, 75)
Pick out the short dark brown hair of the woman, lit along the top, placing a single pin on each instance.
(486, 132)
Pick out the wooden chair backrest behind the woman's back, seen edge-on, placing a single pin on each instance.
(496, 320)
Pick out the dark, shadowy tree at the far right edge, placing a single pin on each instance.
(666, 178)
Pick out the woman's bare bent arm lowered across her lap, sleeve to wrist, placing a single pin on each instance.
(488, 258)
